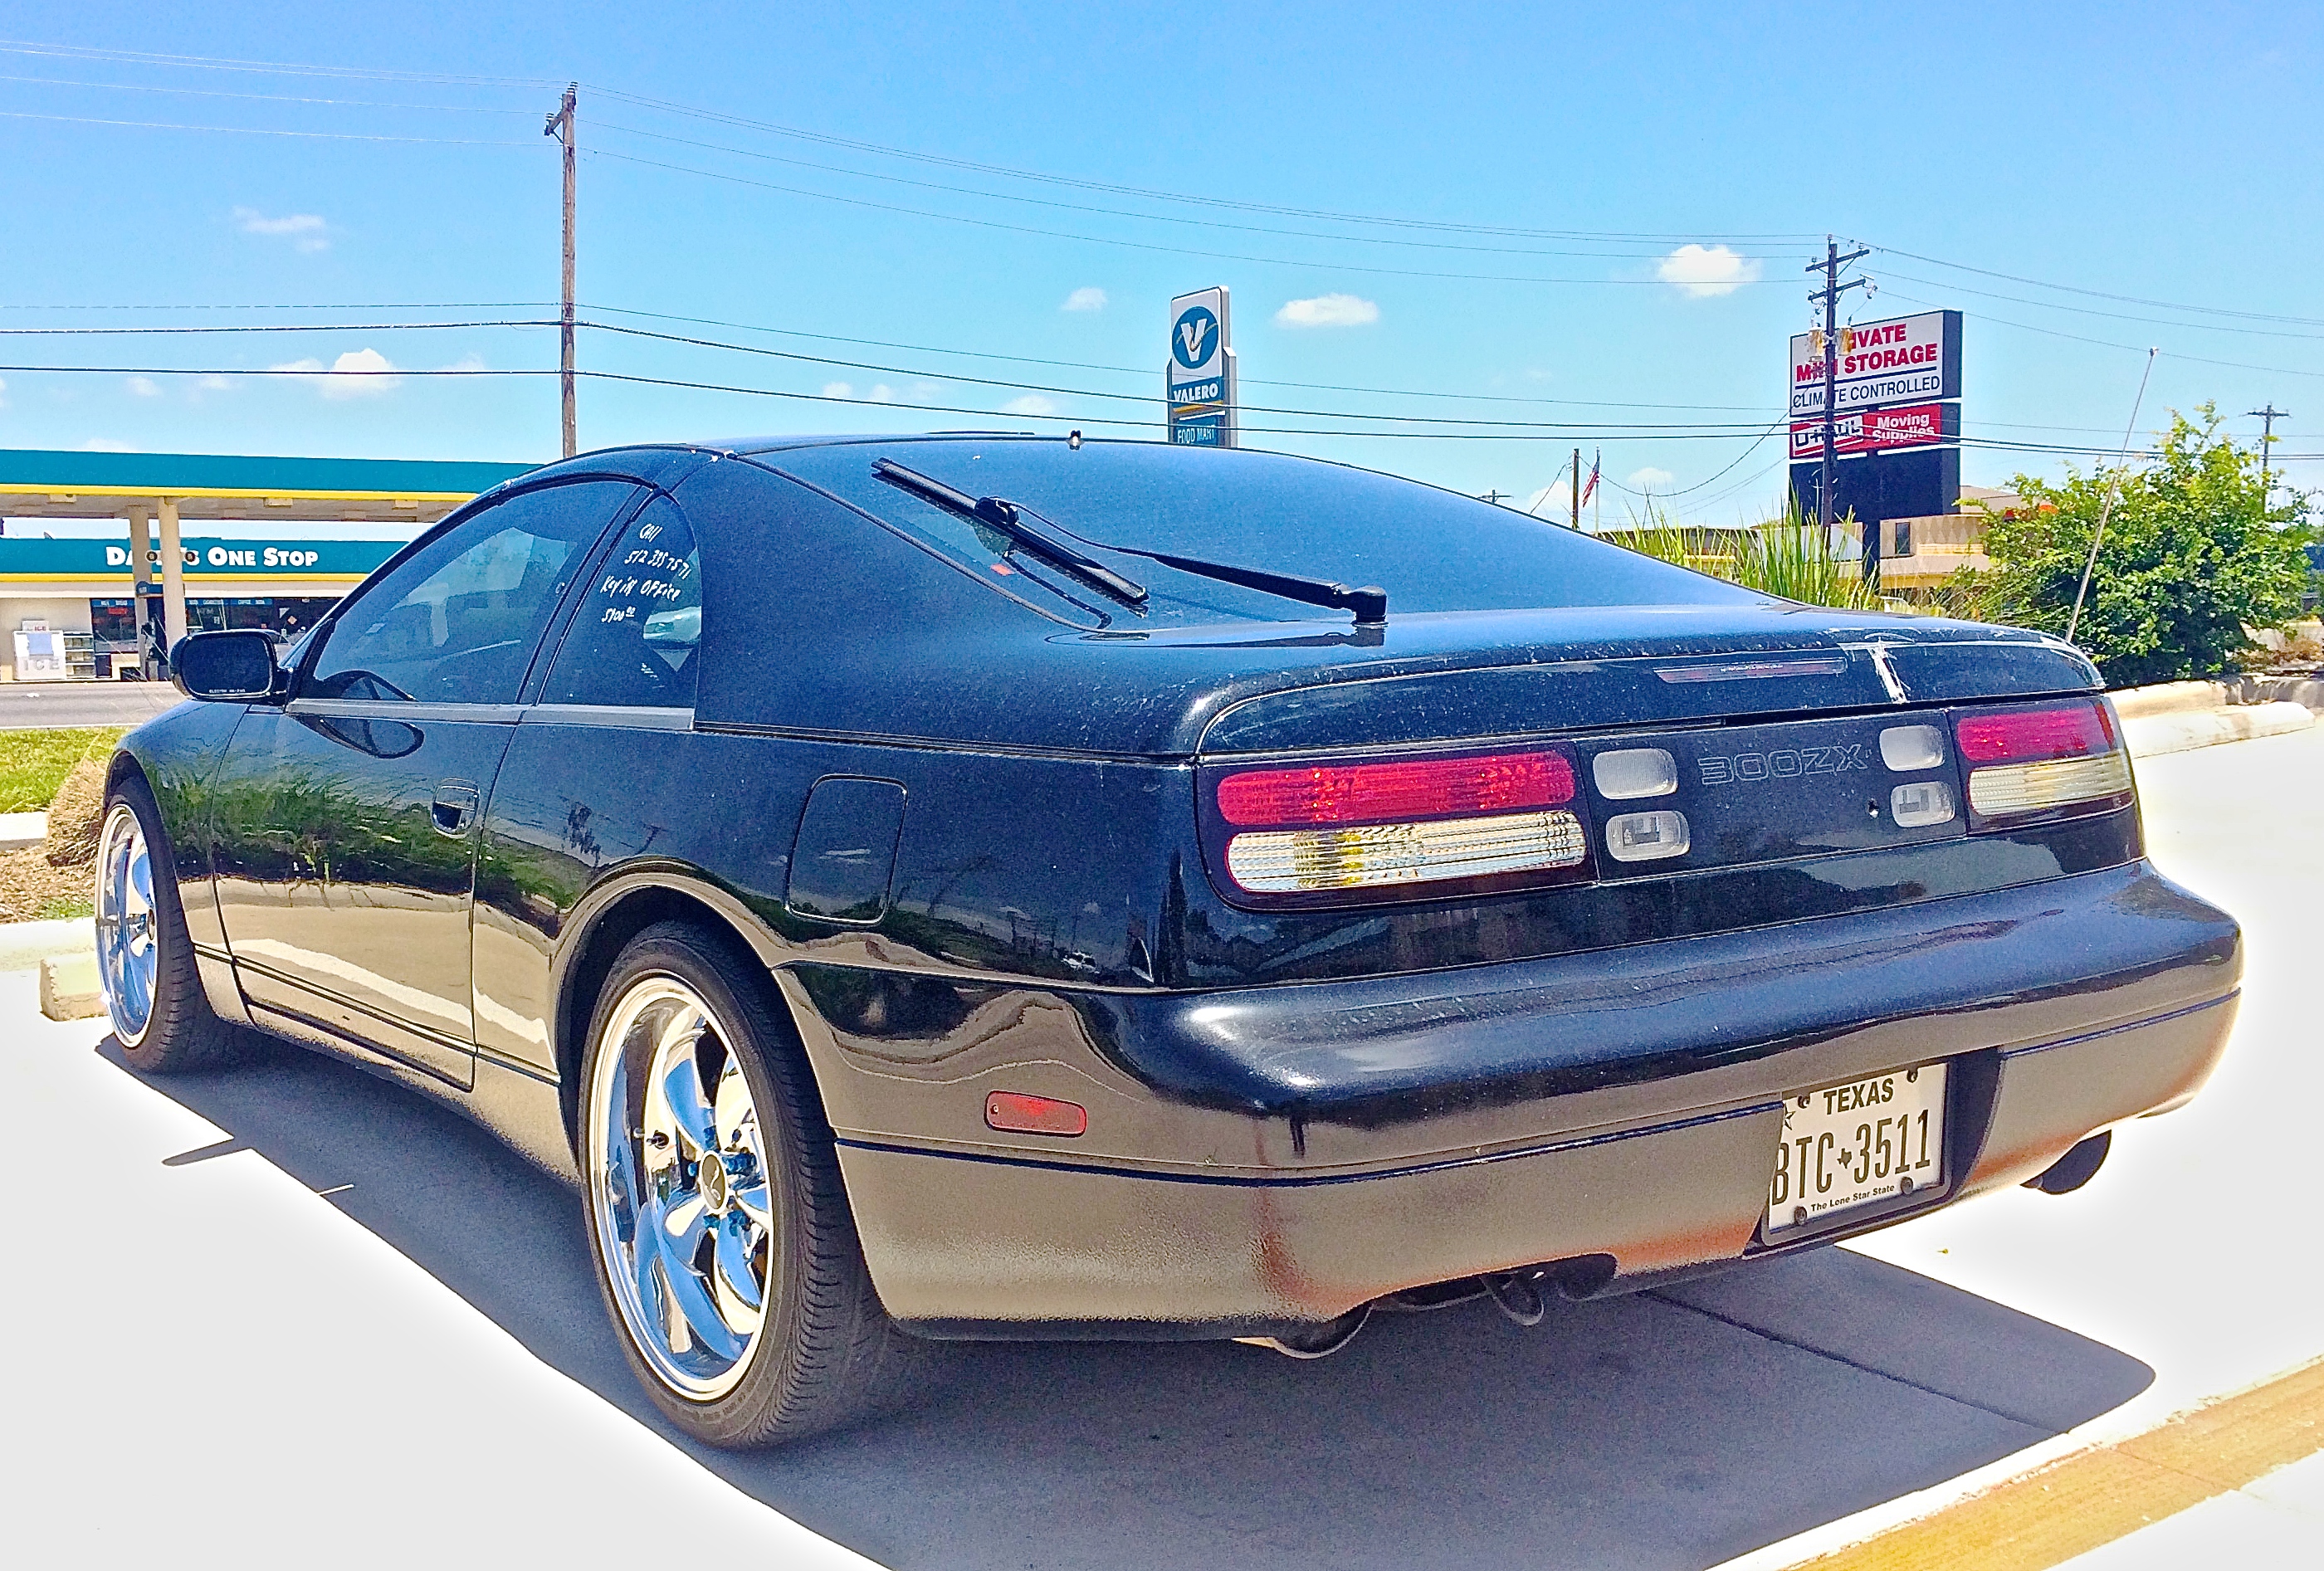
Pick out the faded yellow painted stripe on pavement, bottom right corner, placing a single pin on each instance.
(2100, 1495)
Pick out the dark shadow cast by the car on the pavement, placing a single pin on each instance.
(1672, 1428)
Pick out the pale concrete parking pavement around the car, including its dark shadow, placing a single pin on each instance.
(294, 1312)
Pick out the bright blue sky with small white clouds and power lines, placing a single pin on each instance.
(1542, 166)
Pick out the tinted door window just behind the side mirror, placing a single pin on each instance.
(457, 624)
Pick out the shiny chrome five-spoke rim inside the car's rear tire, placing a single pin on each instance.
(680, 1191)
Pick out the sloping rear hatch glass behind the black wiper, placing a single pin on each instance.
(1430, 550)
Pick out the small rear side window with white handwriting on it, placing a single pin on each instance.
(640, 622)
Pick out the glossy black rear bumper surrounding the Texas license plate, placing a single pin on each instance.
(1616, 1107)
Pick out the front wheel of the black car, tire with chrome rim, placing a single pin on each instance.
(148, 975)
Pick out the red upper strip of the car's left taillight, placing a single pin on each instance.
(1370, 794)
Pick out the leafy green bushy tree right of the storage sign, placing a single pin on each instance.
(2193, 559)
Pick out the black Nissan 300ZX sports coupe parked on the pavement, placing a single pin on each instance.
(991, 887)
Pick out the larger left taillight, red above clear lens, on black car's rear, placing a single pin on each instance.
(1437, 824)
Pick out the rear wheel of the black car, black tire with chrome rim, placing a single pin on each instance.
(717, 1217)
